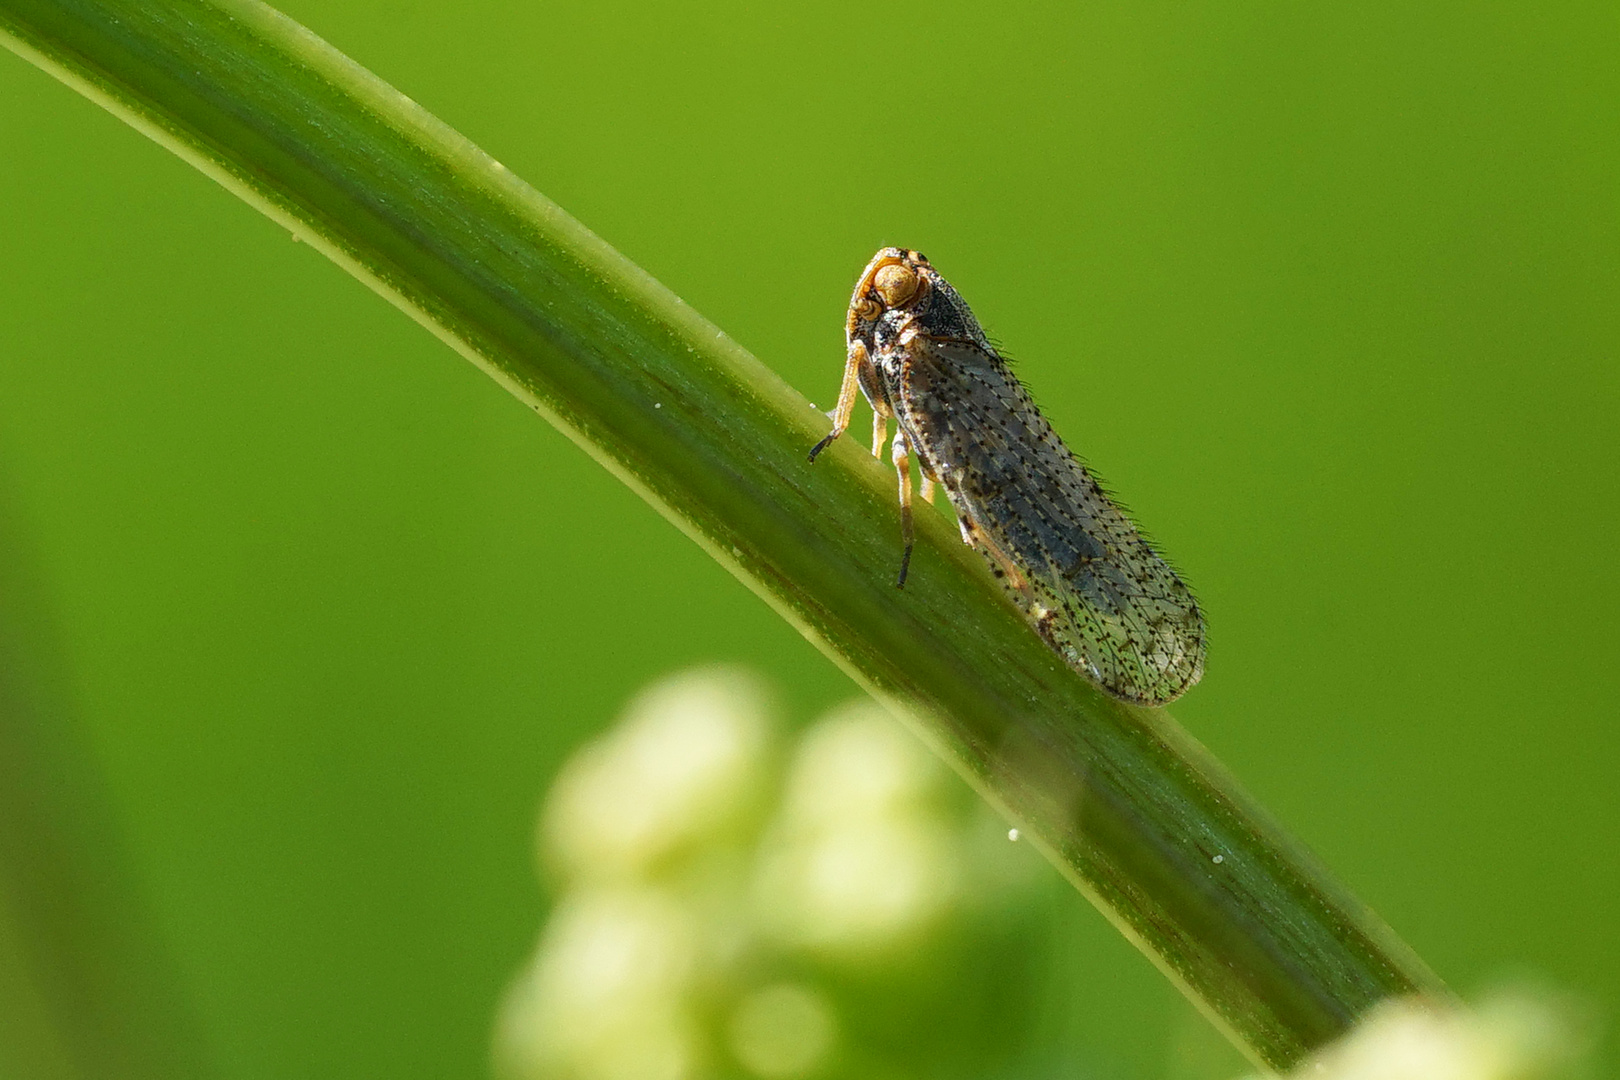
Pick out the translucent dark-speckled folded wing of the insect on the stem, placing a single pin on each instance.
(1091, 584)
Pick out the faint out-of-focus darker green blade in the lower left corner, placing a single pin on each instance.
(85, 987)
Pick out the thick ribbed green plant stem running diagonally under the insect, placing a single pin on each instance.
(1120, 799)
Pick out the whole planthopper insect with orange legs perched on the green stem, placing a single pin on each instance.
(1083, 574)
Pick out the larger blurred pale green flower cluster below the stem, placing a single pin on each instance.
(741, 904)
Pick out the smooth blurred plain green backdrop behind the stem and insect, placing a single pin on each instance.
(1329, 292)
